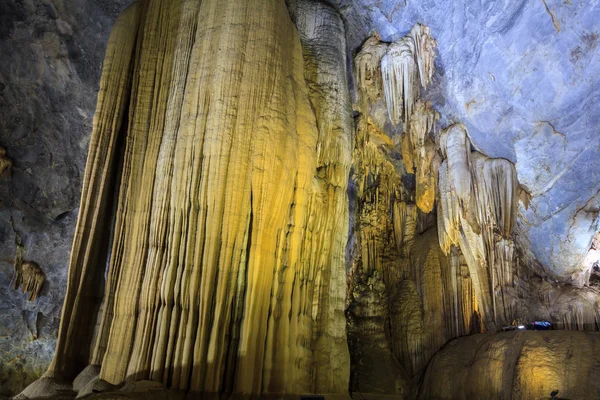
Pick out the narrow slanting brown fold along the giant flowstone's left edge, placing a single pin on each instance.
(87, 265)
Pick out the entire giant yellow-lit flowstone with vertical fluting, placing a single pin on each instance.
(226, 269)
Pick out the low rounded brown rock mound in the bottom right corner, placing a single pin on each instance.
(516, 365)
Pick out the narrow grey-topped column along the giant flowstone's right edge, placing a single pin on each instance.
(323, 41)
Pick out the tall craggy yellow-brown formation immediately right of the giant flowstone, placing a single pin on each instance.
(406, 297)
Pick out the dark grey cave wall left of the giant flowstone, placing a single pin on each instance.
(52, 52)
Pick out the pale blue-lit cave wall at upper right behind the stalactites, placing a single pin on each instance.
(524, 76)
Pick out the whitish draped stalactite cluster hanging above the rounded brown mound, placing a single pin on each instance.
(477, 207)
